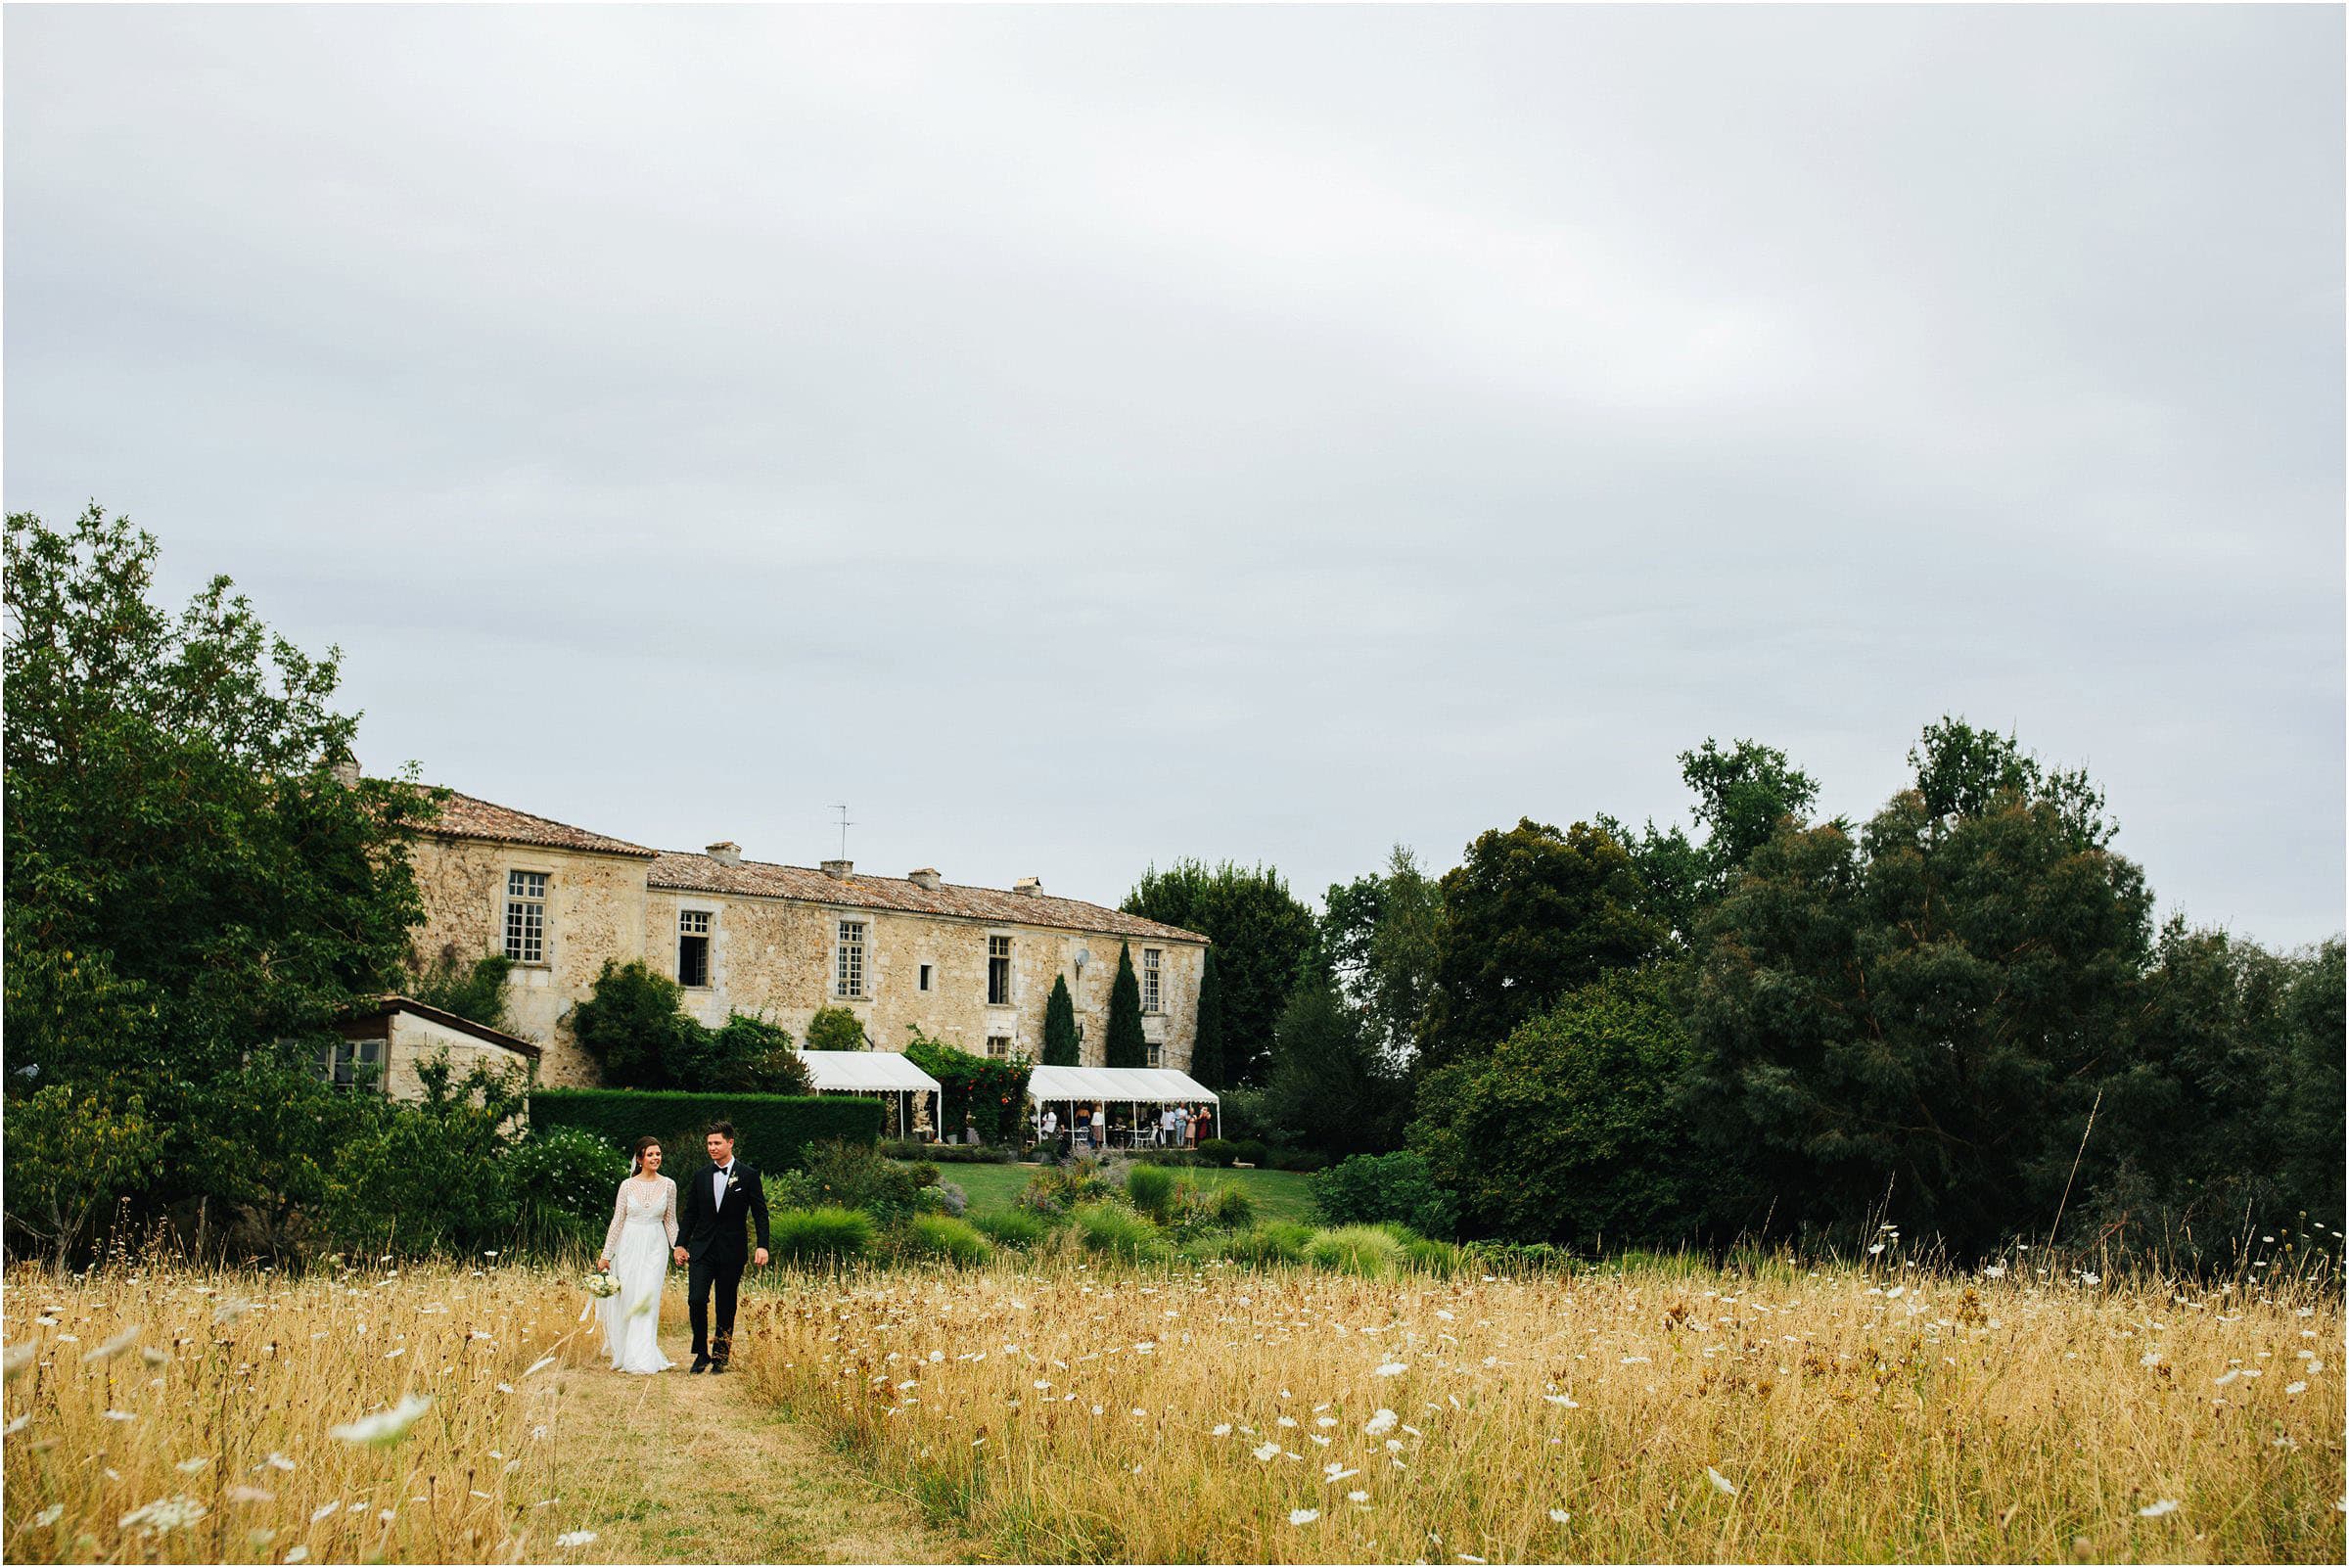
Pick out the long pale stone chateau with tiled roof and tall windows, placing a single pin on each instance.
(971, 966)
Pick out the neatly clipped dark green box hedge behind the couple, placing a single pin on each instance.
(772, 1130)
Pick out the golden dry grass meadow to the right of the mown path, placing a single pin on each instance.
(1648, 1414)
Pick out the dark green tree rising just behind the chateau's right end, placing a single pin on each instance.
(1260, 935)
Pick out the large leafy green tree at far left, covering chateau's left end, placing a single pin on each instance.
(196, 881)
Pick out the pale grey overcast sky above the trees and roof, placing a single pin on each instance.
(1082, 438)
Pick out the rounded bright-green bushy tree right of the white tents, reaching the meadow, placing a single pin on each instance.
(1570, 1130)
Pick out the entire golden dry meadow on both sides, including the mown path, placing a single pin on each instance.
(1061, 1410)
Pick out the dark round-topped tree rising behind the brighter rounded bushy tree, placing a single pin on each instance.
(1530, 917)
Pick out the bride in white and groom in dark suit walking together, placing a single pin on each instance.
(701, 1229)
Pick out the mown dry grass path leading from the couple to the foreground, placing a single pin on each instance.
(699, 1471)
